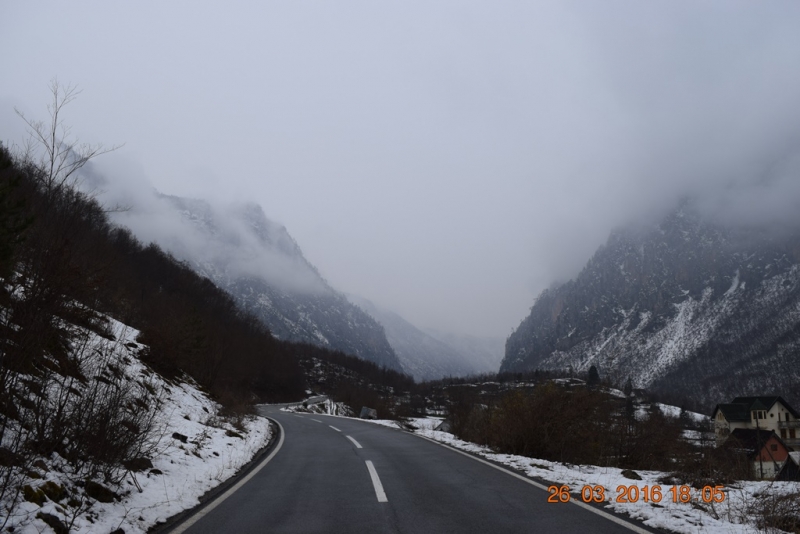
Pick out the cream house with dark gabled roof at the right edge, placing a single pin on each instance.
(764, 413)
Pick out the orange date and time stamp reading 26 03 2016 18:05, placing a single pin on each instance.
(630, 494)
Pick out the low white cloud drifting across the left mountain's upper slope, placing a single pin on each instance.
(224, 239)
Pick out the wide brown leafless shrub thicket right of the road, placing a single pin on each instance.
(575, 425)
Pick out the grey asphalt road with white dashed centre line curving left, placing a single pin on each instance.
(343, 475)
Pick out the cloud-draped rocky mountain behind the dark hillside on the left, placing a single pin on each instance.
(258, 262)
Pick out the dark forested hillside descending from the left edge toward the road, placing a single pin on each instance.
(63, 262)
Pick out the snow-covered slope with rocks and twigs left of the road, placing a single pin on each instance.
(191, 447)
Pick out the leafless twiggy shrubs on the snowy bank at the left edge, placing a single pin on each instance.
(95, 426)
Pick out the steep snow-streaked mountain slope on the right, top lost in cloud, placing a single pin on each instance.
(686, 306)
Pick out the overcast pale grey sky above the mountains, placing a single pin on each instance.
(447, 160)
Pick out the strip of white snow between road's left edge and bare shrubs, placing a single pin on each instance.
(215, 448)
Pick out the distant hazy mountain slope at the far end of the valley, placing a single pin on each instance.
(421, 355)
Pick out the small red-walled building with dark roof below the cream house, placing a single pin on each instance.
(765, 451)
